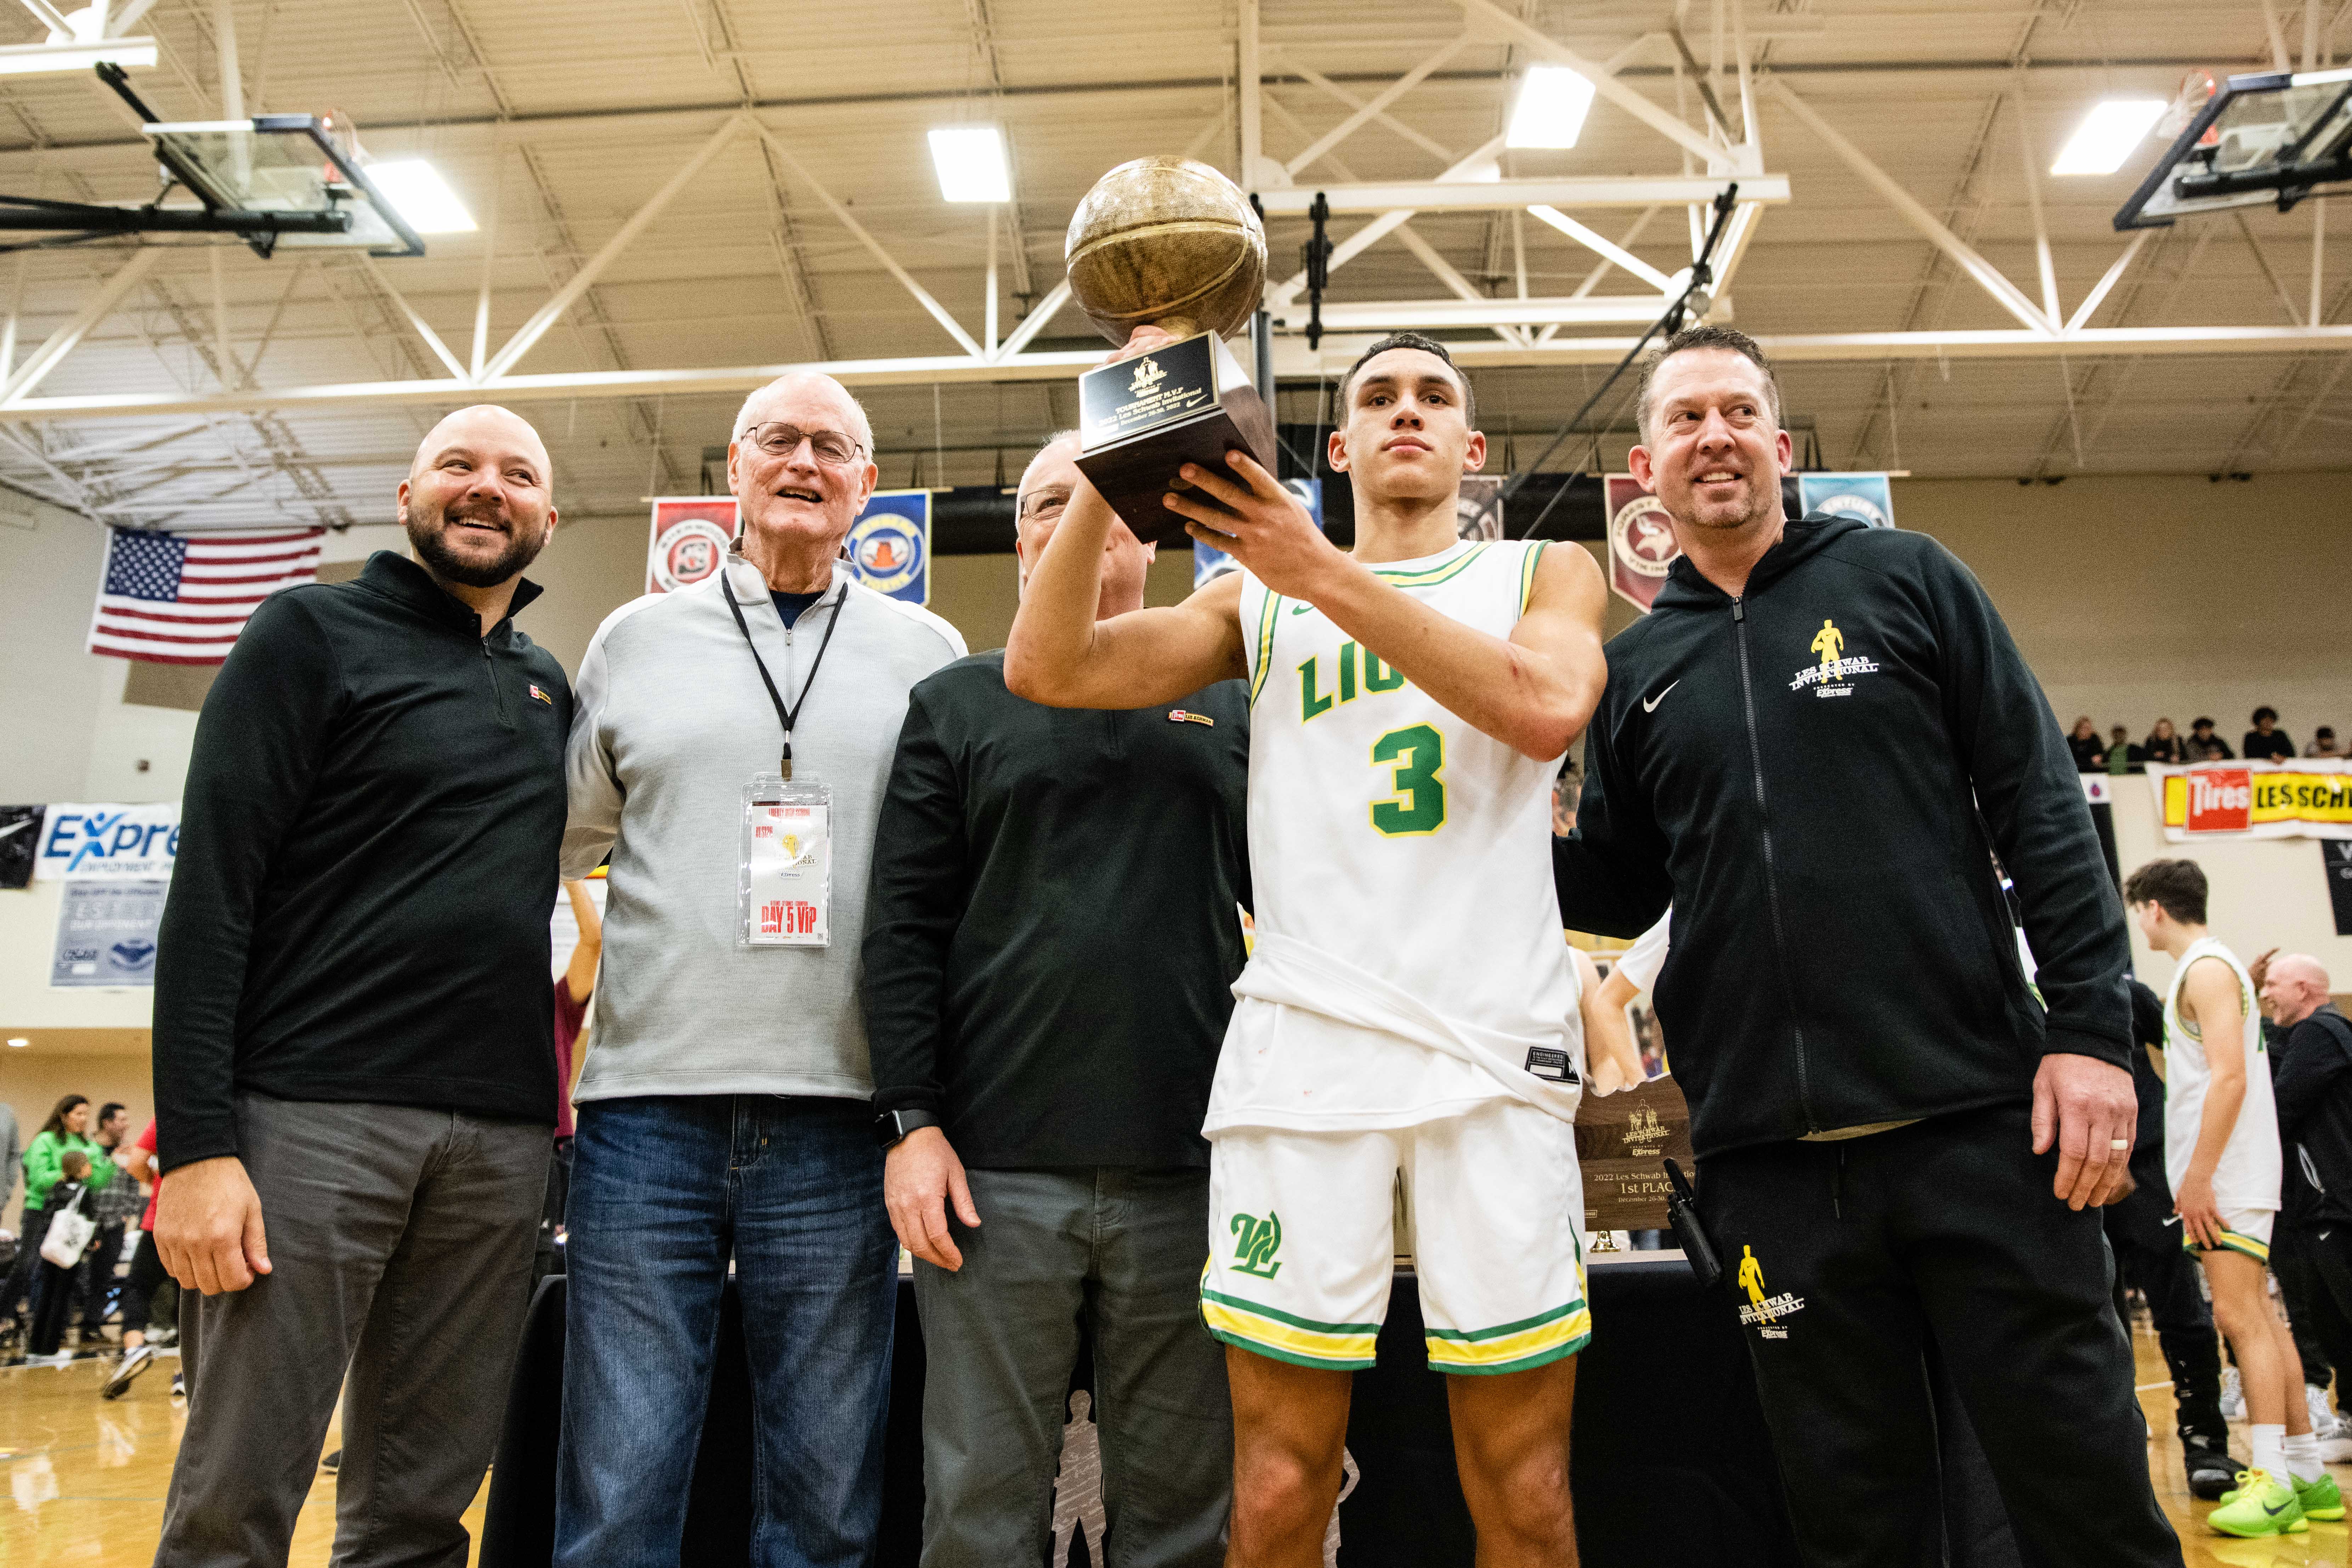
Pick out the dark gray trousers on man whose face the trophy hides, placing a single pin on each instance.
(1121, 1249)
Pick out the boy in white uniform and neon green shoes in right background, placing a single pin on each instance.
(2221, 1155)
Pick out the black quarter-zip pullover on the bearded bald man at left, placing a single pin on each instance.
(366, 864)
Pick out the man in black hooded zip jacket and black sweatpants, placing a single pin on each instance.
(1808, 749)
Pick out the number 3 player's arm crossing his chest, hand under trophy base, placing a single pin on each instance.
(1532, 690)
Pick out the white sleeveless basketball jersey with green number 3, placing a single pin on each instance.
(1410, 960)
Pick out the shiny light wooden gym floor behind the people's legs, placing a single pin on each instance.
(86, 1477)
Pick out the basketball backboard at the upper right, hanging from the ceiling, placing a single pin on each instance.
(2264, 140)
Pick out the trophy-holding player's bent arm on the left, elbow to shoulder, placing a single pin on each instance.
(1062, 657)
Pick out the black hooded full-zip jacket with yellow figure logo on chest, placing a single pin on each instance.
(1812, 777)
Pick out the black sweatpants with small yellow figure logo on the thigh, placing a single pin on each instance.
(1855, 1261)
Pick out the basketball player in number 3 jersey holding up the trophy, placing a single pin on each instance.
(1410, 1005)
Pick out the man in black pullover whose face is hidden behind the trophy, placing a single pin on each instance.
(1050, 944)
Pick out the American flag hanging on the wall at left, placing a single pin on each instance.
(182, 598)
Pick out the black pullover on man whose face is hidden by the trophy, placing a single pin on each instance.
(1053, 934)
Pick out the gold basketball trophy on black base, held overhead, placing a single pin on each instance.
(1168, 243)
